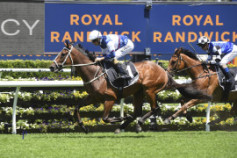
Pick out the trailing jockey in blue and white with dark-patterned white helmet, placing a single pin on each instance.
(224, 51)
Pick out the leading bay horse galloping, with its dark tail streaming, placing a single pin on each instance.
(152, 79)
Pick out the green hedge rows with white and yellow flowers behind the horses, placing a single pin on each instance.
(52, 110)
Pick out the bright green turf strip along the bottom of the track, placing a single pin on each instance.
(125, 145)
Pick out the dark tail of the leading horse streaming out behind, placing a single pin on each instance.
(189, 90)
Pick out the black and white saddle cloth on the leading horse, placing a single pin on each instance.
(119, 83)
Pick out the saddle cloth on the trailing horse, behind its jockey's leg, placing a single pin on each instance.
(221, 77)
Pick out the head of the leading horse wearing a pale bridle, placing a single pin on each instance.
(63, 58)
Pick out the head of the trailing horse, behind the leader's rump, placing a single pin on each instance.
(176, 62)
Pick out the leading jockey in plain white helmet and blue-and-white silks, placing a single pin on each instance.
(113, 47)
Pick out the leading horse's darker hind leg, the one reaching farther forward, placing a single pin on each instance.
(137, 102)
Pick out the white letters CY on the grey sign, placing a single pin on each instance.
(17, 23)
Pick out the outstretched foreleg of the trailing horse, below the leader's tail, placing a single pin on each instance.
(186, 106)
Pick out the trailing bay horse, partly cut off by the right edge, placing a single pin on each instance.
(203, 76)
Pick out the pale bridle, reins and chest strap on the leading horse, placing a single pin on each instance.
(60, 66)
